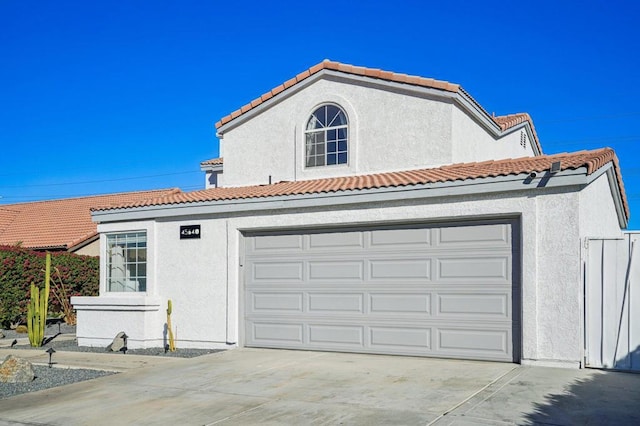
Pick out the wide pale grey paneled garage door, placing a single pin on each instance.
(428, 290)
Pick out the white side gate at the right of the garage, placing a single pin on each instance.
(612, 303)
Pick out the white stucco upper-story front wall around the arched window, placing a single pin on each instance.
(387, 131)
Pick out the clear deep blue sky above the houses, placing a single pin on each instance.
(99, 97)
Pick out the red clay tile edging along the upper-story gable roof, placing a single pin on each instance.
(505, 122)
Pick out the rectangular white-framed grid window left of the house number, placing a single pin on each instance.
(132, 274)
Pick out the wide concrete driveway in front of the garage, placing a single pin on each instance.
(273, 387)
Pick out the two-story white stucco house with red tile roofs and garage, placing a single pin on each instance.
(360, 210)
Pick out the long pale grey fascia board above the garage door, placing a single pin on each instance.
(481, 186)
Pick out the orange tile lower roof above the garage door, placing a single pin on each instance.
(592, 160)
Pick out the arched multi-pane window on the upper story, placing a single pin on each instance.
(326, 137)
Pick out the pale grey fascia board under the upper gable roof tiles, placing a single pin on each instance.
(460, 98)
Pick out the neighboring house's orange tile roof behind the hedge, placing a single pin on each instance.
(60, 224)
